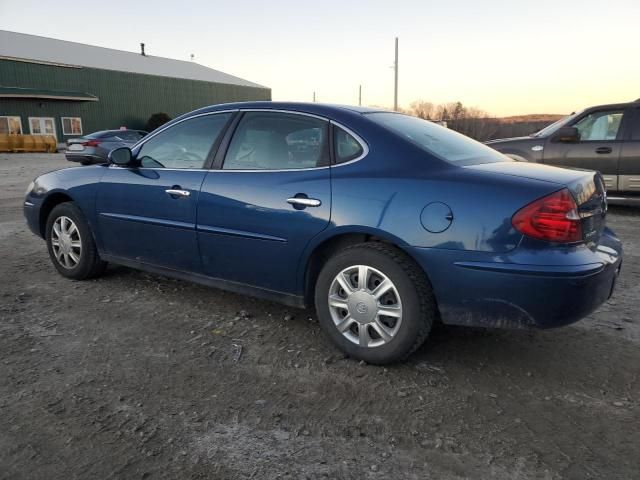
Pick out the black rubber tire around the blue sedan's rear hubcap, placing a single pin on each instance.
(418, 302)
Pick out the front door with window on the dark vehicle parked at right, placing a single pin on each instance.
(599, 146)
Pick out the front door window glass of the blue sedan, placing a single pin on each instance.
(184, 145)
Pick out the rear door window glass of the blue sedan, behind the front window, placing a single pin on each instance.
(277, 141)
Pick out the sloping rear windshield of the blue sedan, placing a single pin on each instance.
(439, 141)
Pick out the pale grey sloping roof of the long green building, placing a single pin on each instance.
(32, 48)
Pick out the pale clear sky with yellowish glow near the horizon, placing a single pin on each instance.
(505, 57)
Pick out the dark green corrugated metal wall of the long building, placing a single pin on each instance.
(125, 99)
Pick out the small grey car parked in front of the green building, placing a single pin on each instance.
(95, 147)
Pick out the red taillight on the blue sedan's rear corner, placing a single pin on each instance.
(553, 218)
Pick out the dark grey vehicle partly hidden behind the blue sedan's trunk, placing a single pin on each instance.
(604, 138)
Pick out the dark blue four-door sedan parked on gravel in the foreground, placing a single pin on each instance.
(384, 222)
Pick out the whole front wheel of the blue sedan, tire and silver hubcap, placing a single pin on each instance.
(71, 245)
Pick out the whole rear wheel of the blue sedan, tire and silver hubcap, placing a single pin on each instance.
(375, 303)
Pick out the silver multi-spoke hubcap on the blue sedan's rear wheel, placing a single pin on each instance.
(365, 306)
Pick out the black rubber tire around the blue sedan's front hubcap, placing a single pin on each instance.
(89, 265)
